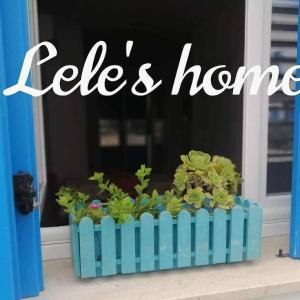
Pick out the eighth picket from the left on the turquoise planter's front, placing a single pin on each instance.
(219, 236)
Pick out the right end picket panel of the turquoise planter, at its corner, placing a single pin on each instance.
(254, 227)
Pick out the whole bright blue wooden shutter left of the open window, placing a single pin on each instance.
(20, 139)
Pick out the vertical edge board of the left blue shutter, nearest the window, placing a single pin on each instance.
(15, 38)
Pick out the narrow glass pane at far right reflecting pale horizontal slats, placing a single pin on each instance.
(281, 107)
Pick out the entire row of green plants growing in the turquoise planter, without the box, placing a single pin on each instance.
(200, 181)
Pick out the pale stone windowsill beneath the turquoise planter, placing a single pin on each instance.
(268, 276)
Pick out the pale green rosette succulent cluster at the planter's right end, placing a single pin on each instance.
(201, 177)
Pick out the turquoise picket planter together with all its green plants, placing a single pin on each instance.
(200, 221)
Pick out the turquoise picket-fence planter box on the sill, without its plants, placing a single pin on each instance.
(167, 243)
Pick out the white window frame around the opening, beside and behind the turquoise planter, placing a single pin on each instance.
(55, 240)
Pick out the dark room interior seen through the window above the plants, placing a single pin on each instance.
(116, 134)
